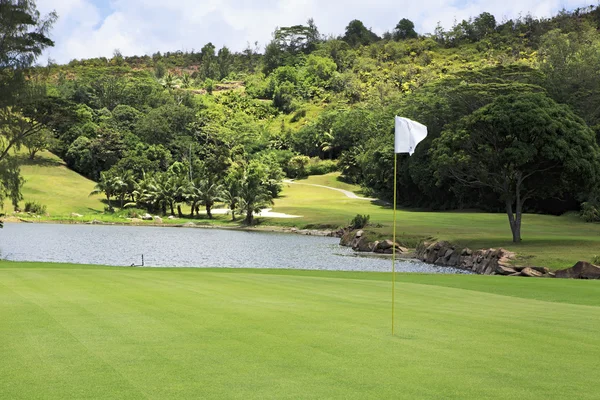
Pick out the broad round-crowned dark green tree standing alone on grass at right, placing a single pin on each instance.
(520, 147)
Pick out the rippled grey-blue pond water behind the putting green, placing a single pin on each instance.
(188, 247)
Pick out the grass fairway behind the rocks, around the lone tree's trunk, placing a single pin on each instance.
(557, 242)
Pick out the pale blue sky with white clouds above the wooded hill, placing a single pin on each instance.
(95, 28)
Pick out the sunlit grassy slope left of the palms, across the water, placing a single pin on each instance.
(50, 182)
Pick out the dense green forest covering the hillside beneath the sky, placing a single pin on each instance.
(512, 108)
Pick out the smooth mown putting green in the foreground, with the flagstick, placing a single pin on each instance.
(71, 331)
